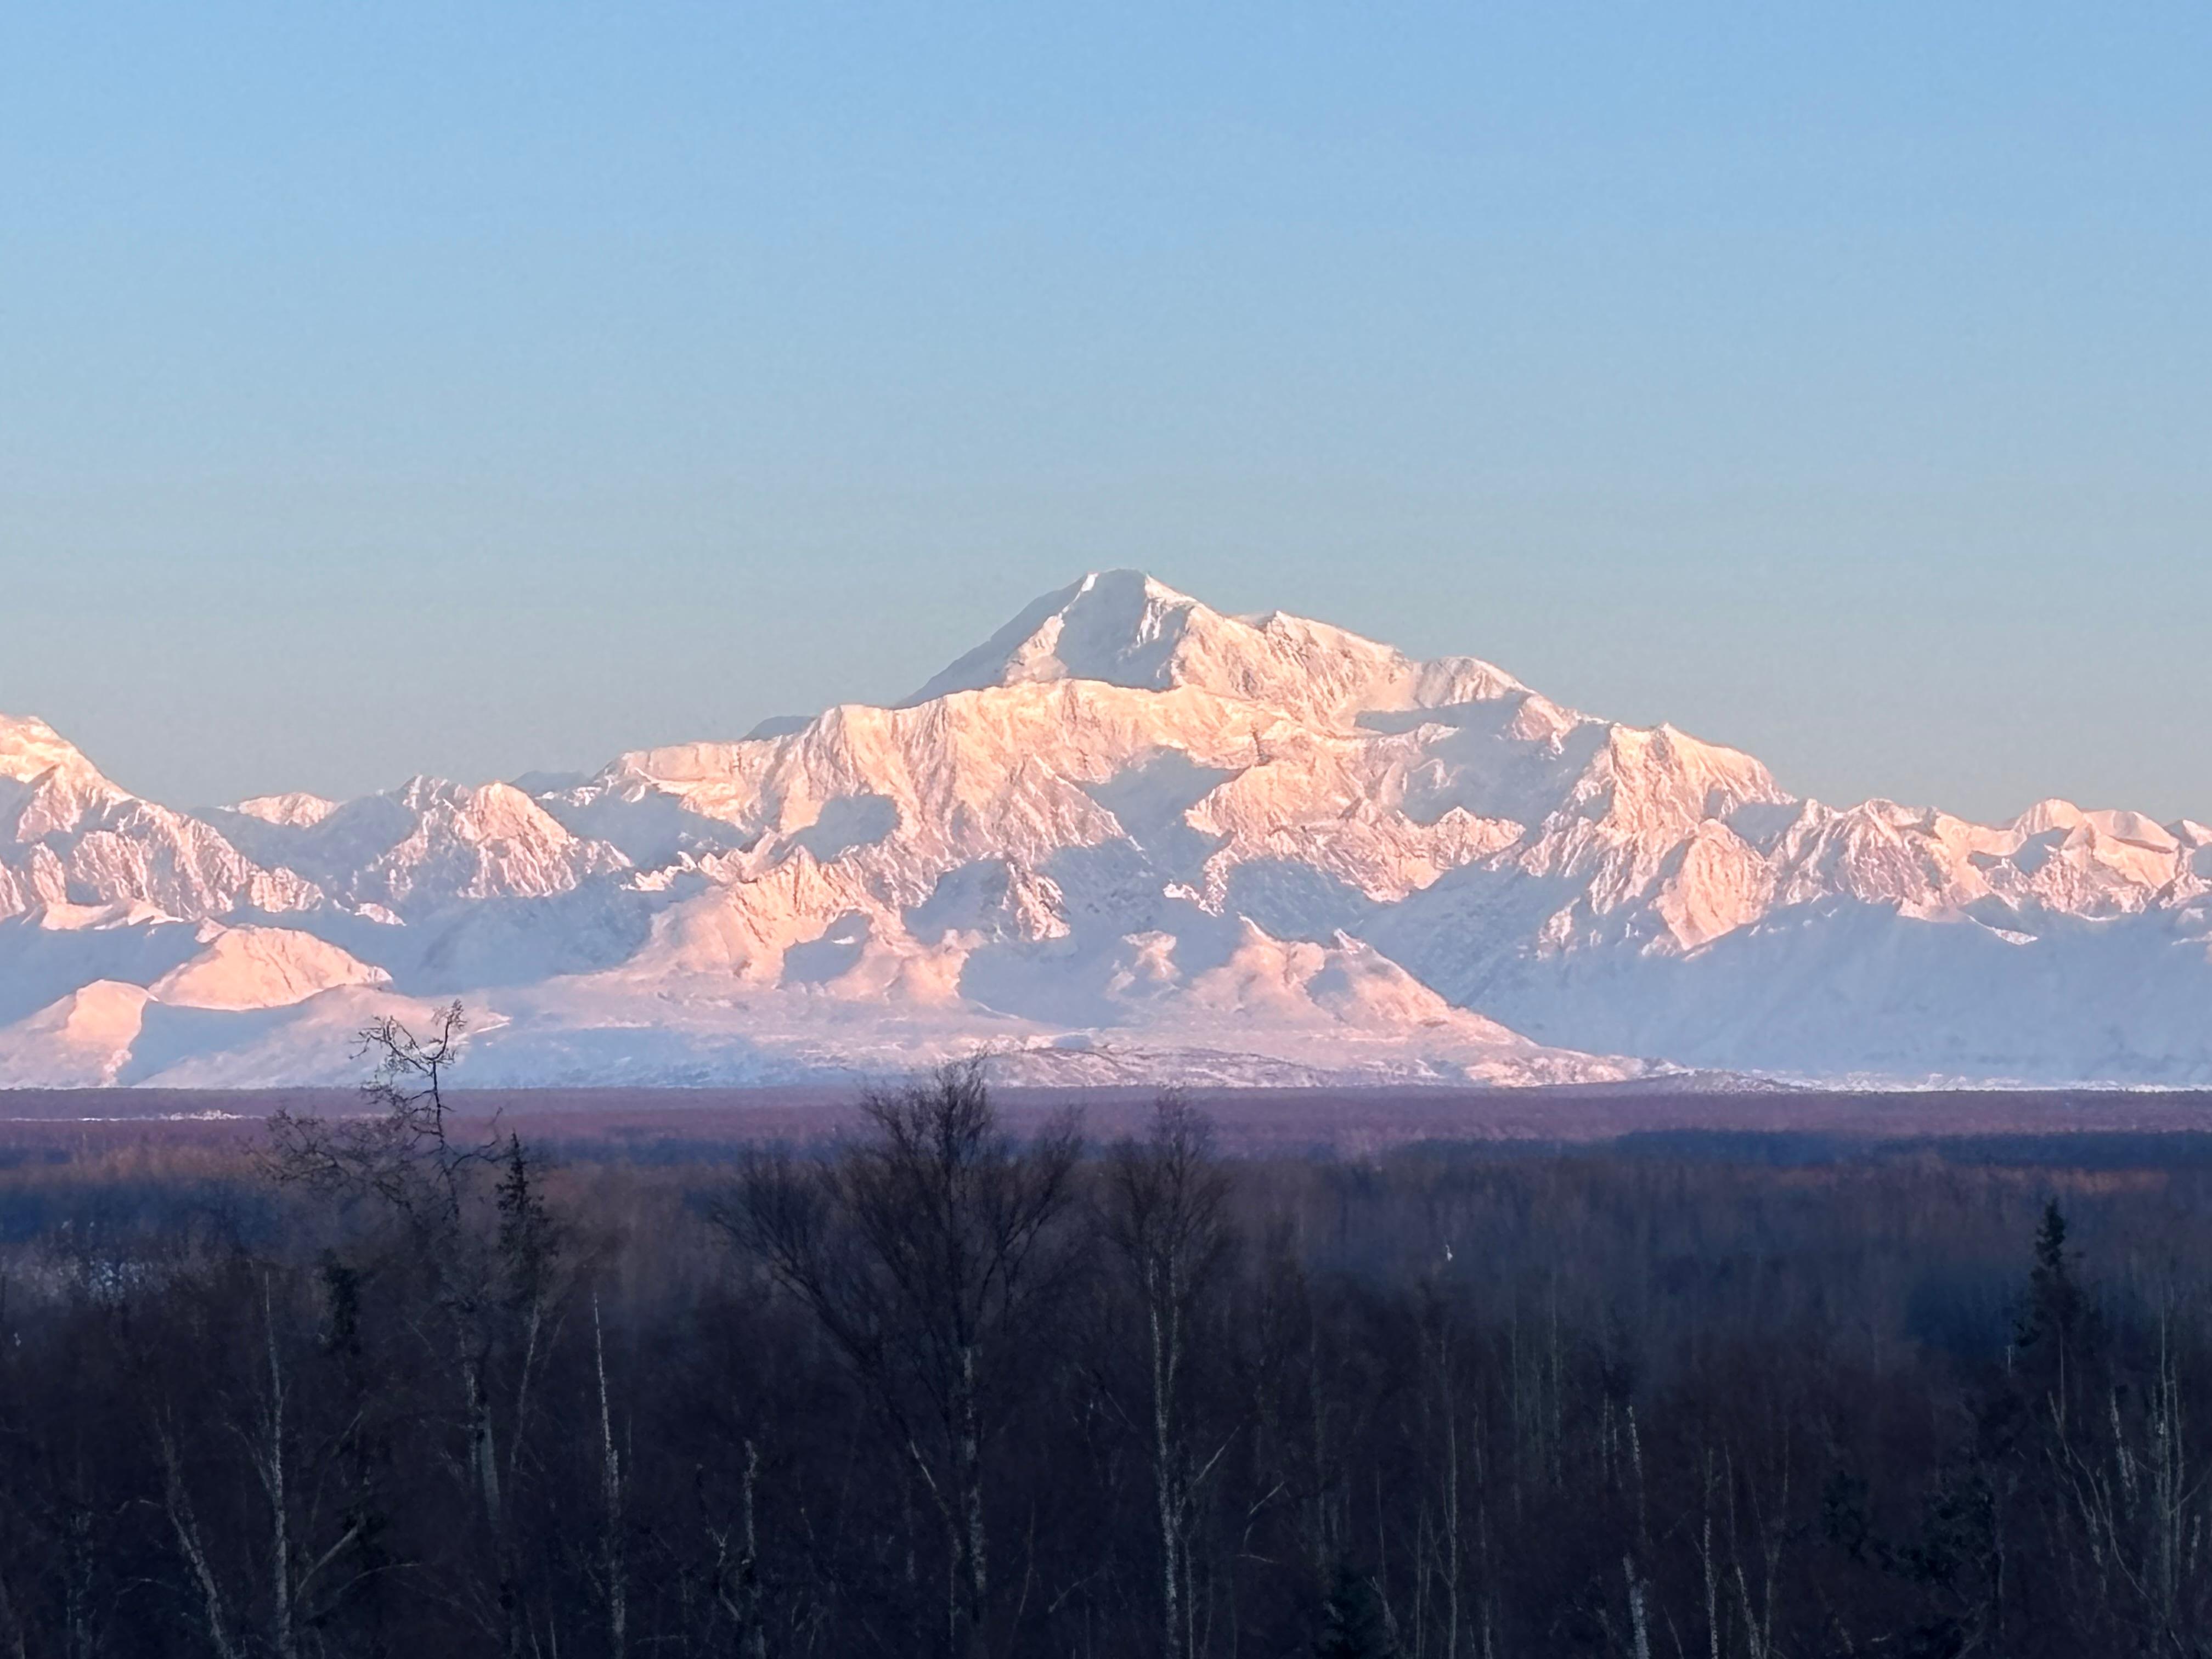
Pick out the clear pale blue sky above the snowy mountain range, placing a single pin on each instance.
(463, 388)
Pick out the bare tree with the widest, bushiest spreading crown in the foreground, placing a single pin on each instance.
(926, 1251)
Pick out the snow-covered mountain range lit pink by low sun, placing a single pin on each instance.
(1125, 839)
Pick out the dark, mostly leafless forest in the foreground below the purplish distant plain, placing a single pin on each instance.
(401, 1388)
